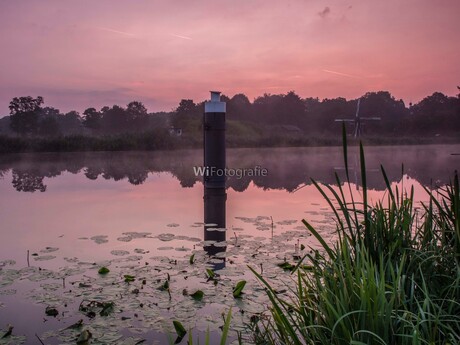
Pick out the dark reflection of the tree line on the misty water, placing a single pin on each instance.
(288, 168)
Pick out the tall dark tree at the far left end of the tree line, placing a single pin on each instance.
(25, 113)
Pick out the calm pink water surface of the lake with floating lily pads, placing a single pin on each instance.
(142, 214)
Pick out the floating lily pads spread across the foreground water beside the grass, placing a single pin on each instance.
(124, 299)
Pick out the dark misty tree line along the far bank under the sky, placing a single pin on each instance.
(435, 115)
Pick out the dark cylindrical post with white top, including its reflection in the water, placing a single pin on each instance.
(215, 195)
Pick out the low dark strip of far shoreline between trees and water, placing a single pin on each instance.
(149, 142)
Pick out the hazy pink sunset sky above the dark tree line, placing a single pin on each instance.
(78, 54)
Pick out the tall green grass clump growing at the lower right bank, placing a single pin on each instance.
(389, 279)
